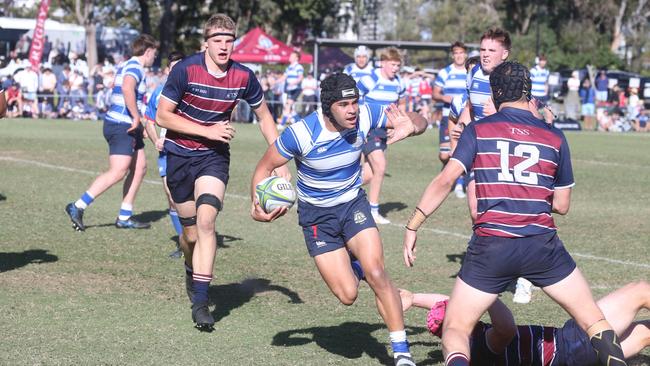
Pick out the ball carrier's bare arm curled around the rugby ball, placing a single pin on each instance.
(265, 167)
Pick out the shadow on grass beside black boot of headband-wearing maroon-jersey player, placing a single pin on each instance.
(234, 295)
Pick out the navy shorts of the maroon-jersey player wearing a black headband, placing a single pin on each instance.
(183, 171)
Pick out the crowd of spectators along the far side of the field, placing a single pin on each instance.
(63, 86)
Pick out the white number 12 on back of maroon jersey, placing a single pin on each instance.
(519, 173)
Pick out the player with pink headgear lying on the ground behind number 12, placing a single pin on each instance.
(504, 343)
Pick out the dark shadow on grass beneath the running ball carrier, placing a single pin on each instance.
(350, 340)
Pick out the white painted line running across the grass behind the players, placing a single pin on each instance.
(436, 231)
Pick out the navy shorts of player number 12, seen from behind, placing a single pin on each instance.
(492, 263)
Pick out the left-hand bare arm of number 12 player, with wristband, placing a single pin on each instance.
(431, 199)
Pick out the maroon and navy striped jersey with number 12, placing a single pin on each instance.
(518, 162)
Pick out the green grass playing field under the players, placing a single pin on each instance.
(108, 296)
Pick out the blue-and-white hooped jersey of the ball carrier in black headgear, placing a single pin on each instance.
(329, 163)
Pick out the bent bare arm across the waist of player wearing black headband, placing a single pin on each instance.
(165, 117)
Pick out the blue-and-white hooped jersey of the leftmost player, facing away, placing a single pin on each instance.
(117, 112)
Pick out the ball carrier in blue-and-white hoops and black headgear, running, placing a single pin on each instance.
(333, 210)
